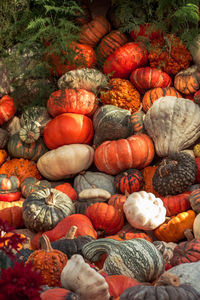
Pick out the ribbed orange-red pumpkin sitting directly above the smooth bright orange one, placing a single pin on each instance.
(77, 101)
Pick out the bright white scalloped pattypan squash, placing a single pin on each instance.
(144, 211)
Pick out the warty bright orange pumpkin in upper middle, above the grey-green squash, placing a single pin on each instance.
(122, 94)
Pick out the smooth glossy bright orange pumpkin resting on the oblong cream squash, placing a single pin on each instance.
(68, 128)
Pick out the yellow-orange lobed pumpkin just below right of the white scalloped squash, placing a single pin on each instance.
(172, 230)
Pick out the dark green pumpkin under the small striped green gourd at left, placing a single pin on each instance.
(19, 149)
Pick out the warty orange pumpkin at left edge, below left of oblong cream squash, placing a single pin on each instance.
(21, 168)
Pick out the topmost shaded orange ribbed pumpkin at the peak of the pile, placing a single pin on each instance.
(93, 31)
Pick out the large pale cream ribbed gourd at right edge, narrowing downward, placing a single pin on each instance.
(180, 124)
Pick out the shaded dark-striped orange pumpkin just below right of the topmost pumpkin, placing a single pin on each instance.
(109, 43)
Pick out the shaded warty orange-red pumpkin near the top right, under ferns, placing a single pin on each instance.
(169, 54)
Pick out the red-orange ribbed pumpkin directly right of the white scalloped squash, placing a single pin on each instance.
(176, 204)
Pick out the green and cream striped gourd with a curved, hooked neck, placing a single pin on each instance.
(136, 258)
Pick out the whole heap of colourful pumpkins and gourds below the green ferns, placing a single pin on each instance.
(106, 177)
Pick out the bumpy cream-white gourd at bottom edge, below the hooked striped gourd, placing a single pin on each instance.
(80, 278)
